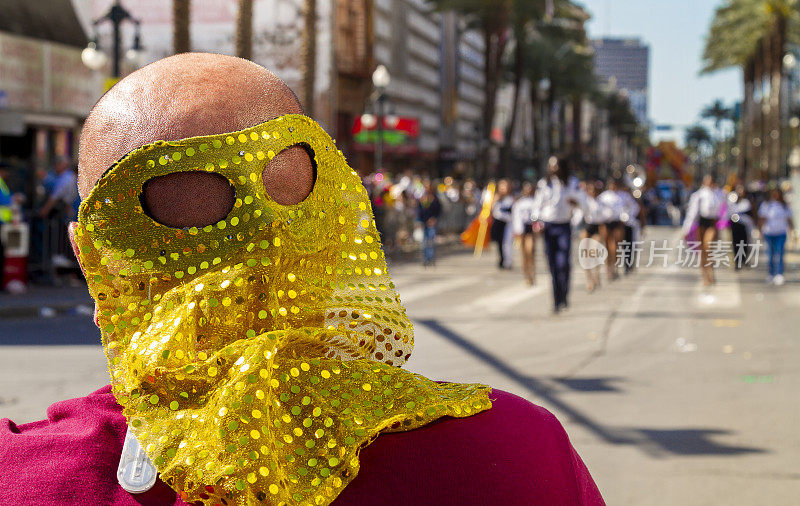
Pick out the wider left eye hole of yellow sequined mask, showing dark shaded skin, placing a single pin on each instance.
(188, 199)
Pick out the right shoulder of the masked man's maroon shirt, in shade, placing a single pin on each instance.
(514, 453)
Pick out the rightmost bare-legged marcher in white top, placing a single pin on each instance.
(704, 208)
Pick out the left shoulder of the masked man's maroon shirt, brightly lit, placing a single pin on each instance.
(71, 456)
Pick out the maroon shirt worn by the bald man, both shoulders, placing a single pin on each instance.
(513, 454)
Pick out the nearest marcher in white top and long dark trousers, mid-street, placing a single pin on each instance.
(554, 203)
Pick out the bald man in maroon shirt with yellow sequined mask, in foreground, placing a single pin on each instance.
(252, 332)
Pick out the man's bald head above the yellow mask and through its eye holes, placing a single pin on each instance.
(188, 95)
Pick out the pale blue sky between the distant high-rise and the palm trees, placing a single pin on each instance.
(675, 31)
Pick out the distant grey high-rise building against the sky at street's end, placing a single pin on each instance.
(625, 64)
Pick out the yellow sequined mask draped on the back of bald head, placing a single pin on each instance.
(254, 357)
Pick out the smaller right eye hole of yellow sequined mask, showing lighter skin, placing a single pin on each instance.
(291, 174)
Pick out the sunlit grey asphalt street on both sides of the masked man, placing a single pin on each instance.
(671, 395)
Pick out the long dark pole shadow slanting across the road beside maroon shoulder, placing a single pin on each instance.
(686, 442)
